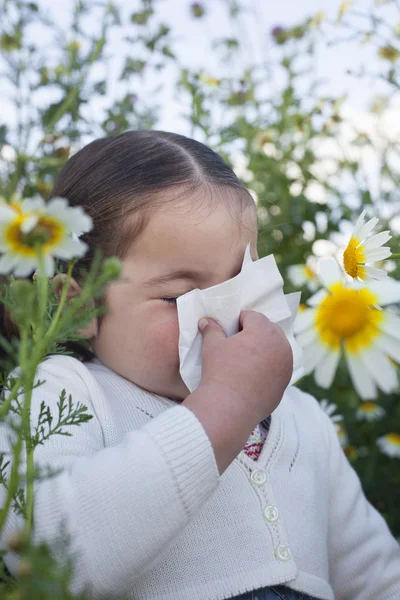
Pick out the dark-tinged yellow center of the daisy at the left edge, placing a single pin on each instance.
(47, 233)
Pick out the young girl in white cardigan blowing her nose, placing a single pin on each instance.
(161, 495)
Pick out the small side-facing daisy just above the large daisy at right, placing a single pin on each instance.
(363, 249)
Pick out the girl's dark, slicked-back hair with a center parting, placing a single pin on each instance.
(123, 176)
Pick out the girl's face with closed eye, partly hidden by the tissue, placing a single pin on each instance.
(180, 250)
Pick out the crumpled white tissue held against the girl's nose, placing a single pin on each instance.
(259, 287)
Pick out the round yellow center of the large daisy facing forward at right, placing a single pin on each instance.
(347, 315)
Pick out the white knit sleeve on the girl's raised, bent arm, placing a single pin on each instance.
(122, 506)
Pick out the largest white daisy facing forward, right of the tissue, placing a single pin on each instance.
(347, 318)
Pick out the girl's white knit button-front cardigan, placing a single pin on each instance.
(150, 517)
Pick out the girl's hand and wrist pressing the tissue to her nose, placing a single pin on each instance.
(243, 381)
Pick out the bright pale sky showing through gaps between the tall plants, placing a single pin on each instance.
(192, 42)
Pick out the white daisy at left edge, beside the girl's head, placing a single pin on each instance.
(31, 225)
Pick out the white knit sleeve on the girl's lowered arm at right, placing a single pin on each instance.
(364, 557)
